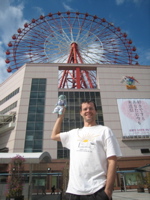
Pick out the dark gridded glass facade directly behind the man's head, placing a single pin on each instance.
(72, 117)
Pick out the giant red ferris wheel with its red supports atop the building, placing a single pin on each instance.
(70, 37)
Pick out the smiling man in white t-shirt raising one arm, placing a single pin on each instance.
(93, 156)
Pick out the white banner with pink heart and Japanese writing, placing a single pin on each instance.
(134, 116)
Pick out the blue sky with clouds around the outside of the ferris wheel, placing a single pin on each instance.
(132, 16)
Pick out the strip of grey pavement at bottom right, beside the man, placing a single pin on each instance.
(131, 195)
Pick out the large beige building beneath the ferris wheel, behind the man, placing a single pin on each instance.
(28, 98)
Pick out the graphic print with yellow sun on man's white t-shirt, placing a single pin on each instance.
(86, 142)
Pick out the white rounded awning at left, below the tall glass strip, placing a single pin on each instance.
(31, 158)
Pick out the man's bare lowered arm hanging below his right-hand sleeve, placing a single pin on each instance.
(111, 174)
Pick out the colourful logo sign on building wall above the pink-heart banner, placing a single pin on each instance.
(130, 82)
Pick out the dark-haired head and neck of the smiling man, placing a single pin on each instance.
(88, 111)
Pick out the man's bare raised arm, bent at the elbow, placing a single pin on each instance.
(57, 127)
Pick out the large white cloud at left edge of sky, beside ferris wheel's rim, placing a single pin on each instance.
(11, 19)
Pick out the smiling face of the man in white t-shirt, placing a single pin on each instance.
(88, 112)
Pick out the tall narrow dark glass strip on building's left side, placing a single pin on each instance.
(35, 120)
